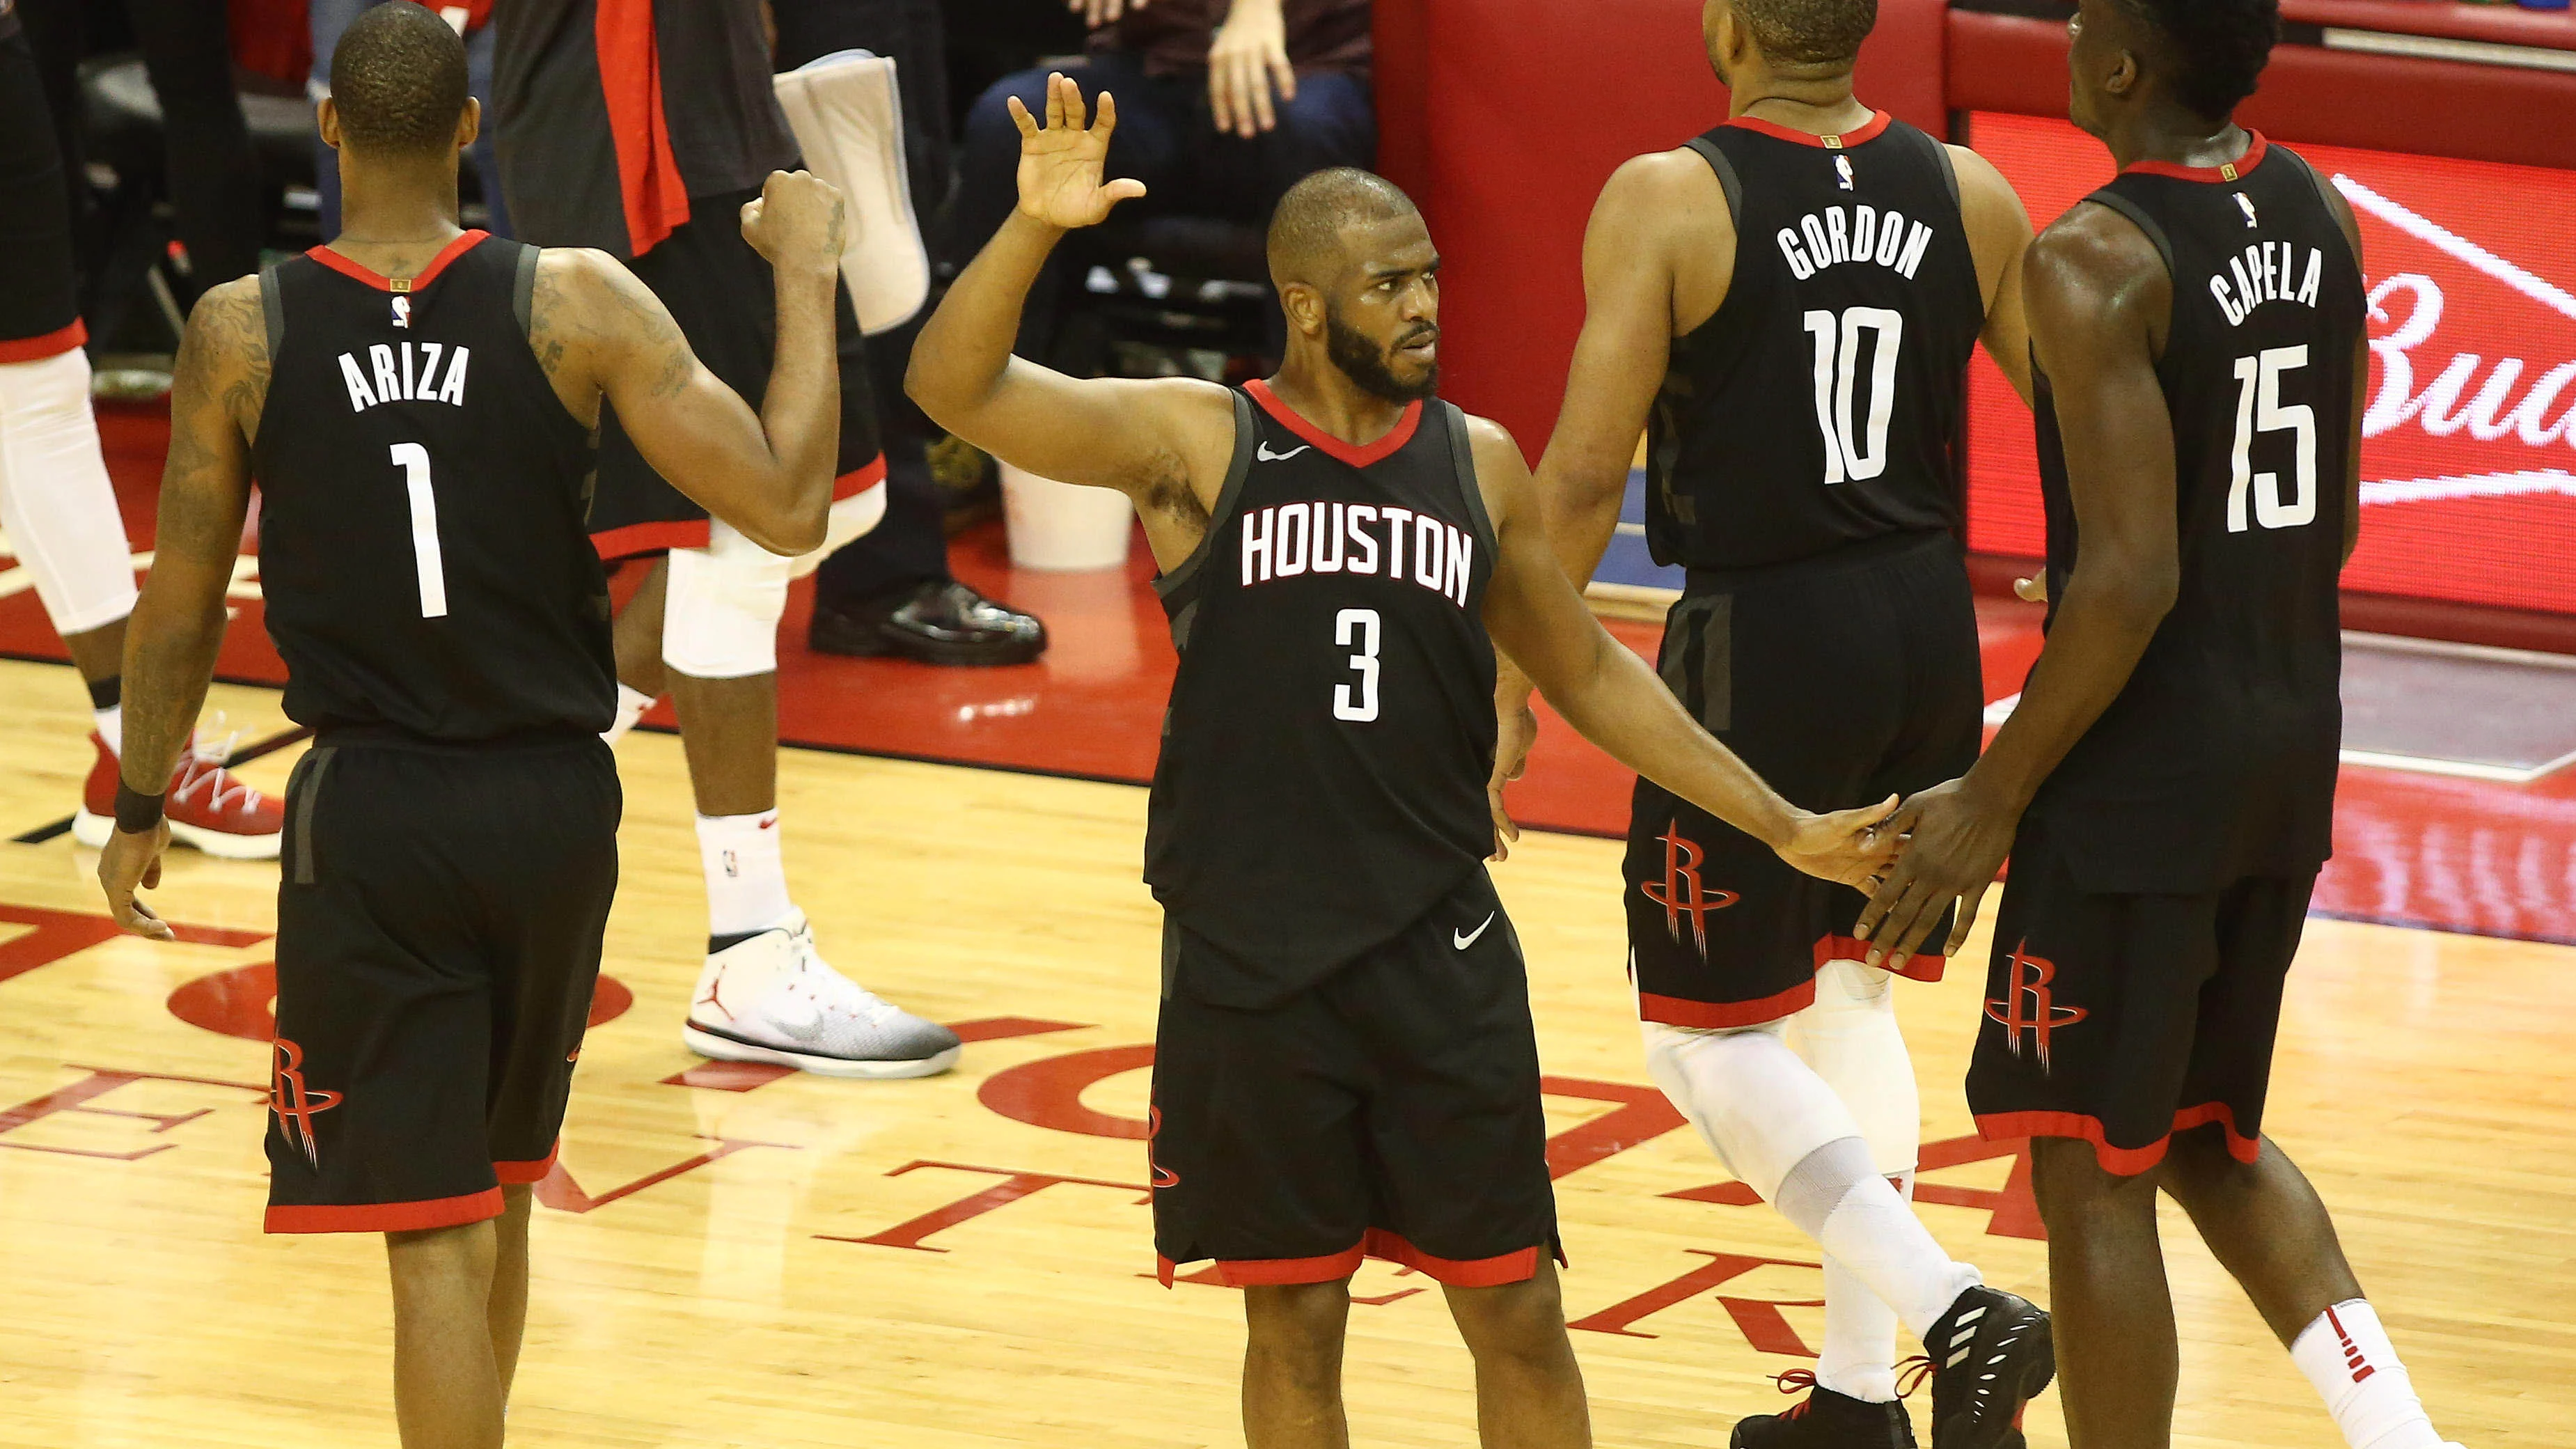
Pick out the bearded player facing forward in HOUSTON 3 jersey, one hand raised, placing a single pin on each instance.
(1346, 1061)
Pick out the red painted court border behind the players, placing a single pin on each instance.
(2412, 850)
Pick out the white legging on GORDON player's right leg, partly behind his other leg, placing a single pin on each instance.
(1853, 1043)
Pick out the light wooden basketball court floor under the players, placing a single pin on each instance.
(730, 1257)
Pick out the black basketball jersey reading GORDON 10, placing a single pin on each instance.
(1820, 404)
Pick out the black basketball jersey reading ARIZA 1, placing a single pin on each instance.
(424, 496)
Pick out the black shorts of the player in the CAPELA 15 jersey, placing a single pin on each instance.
(2124, 1020)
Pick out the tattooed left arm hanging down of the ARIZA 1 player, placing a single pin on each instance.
(179, 623)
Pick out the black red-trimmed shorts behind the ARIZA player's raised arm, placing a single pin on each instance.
(725, 303)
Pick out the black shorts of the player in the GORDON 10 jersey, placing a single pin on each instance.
(1841, 682)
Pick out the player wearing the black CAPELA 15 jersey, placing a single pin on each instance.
(2168, 783)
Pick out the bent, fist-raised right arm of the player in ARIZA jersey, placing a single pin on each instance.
(764, 473)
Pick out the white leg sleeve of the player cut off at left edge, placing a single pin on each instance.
(55, 499)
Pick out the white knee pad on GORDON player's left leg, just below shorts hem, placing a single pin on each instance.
(1758, 1107)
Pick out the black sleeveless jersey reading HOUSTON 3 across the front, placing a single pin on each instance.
(1333, 721)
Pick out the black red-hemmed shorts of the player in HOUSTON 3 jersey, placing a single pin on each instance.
(1387, 1113)
